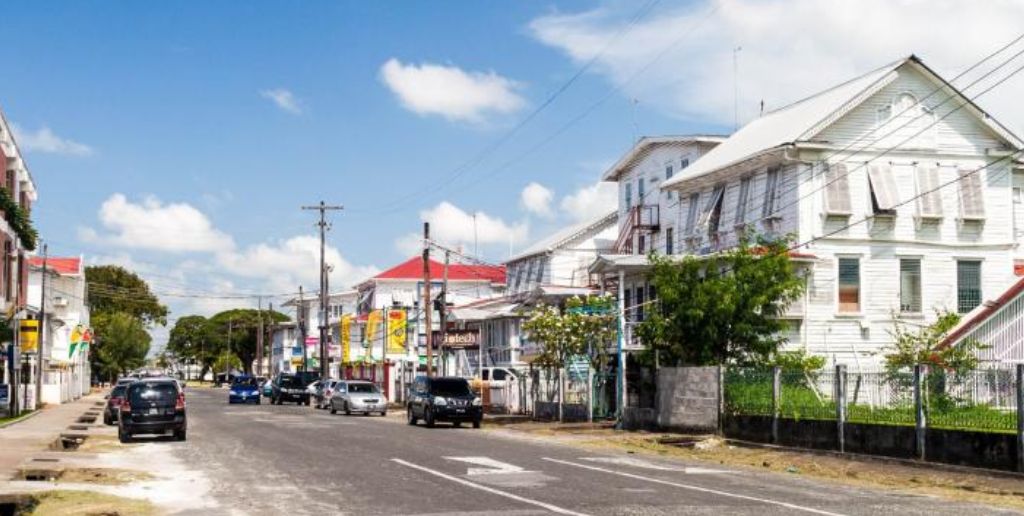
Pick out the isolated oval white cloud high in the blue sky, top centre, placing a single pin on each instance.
(450, 92)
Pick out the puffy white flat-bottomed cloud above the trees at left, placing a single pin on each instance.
(176, 228)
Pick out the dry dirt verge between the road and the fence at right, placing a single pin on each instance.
(919, 480)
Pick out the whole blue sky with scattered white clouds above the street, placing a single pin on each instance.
(156, 142)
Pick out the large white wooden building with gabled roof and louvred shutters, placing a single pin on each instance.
(906, 196)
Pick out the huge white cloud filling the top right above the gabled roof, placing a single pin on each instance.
(791, 49)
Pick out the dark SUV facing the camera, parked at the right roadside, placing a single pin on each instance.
(444, 399)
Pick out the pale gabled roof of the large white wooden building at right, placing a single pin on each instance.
(803, 120)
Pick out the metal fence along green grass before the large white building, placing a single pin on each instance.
(980, 401)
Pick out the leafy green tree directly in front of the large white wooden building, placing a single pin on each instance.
(721, 309)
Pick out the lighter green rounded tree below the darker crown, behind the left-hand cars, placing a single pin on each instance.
(122, 347)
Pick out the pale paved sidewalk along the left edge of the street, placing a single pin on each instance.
(35, 435)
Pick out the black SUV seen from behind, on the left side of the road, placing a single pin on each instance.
(153, 406)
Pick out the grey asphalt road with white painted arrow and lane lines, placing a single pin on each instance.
(295, 460)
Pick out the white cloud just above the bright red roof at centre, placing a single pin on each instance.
(454, 227)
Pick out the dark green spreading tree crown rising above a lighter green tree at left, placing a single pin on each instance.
(115, 289)
